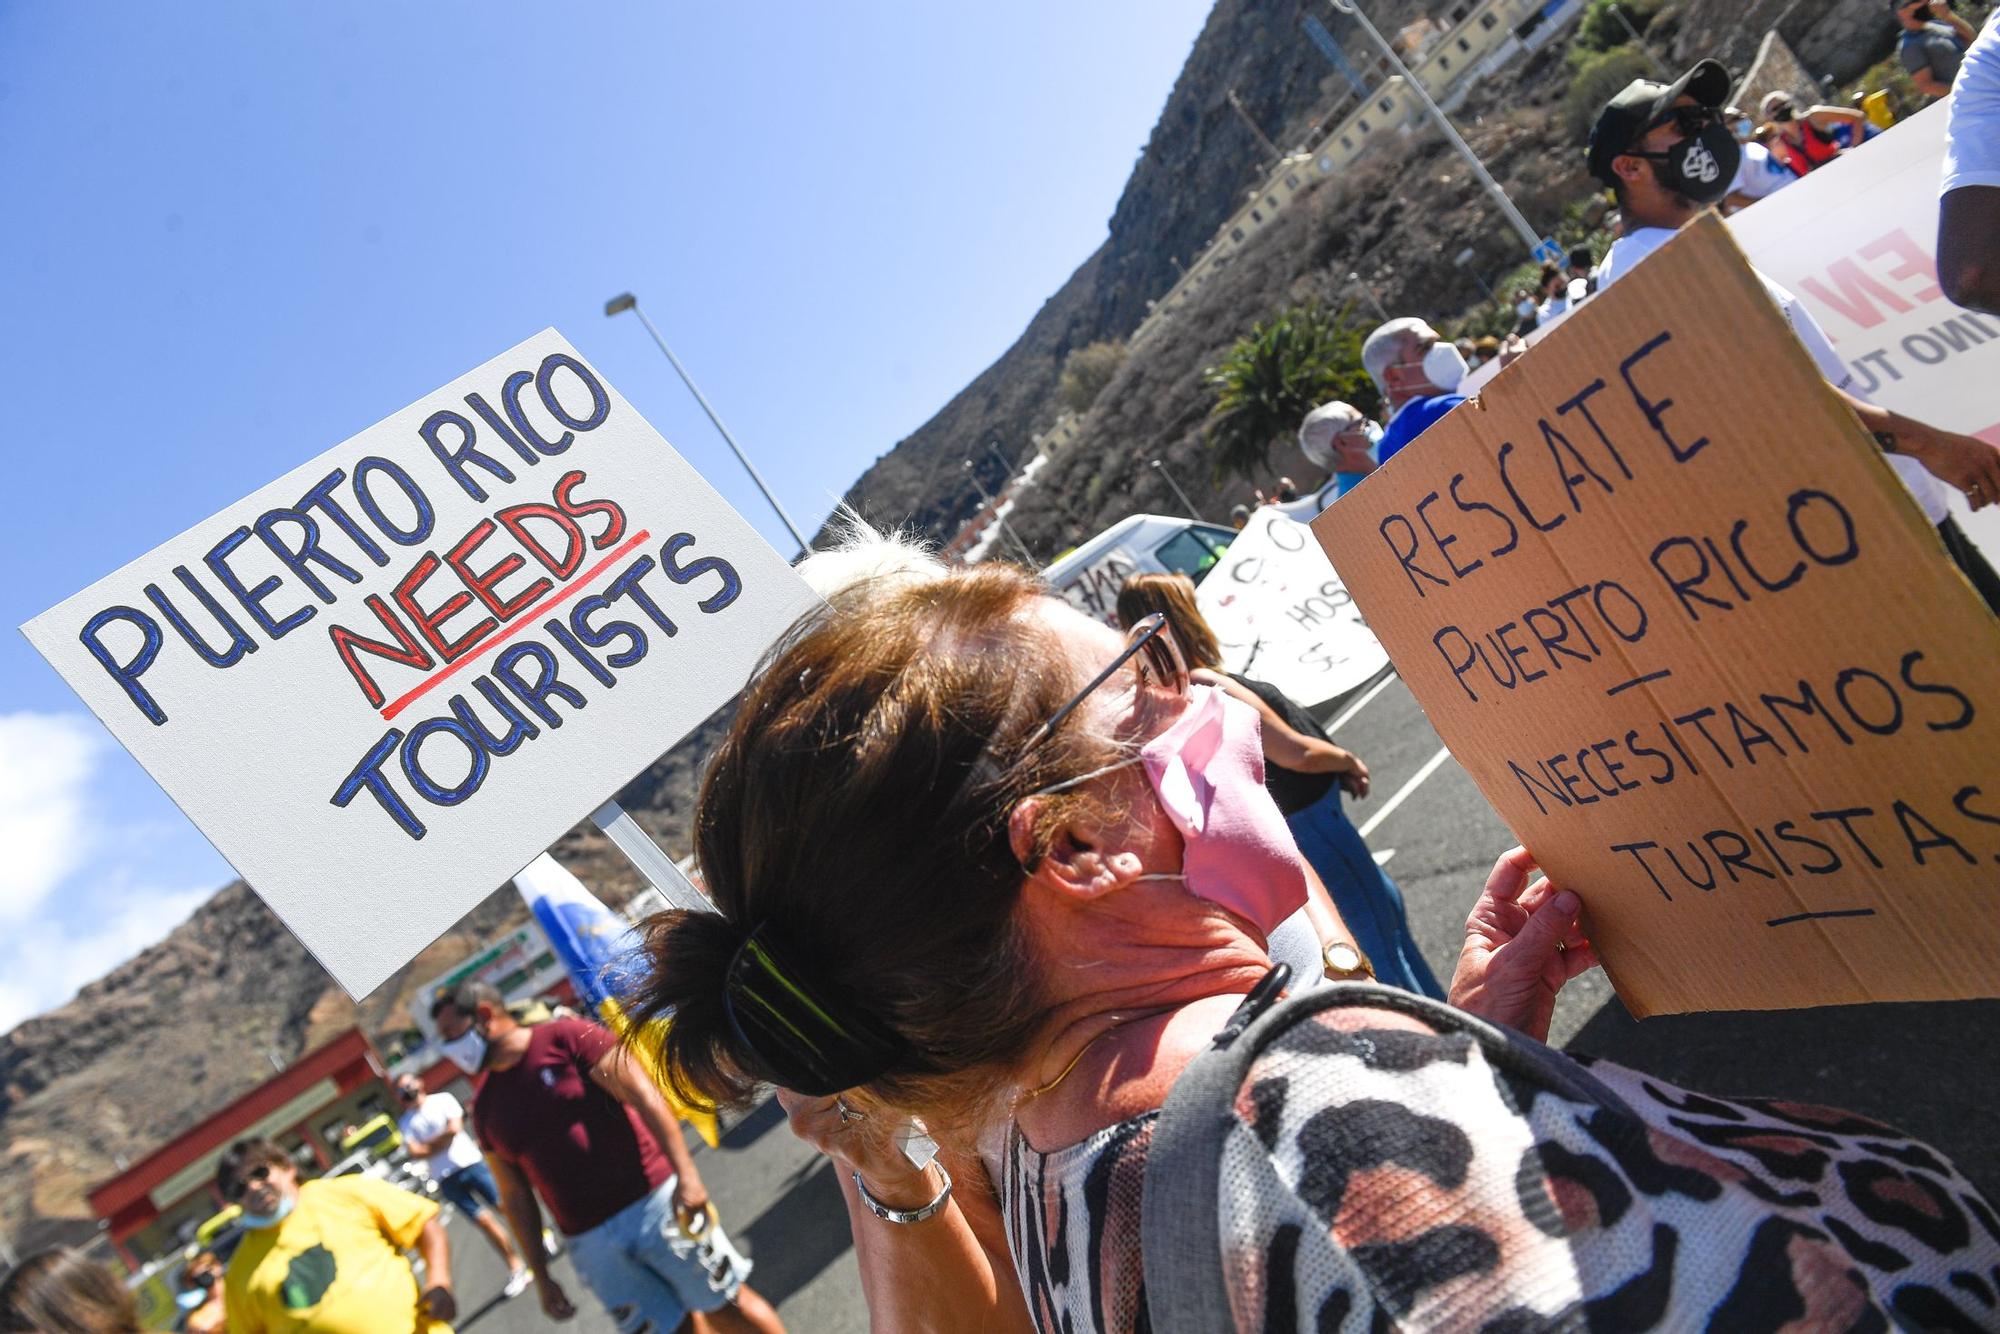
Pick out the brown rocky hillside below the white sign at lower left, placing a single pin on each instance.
(199, 1019)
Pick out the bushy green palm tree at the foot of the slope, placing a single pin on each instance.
(1273, 377)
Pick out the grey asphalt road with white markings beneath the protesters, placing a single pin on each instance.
(1921, 1067)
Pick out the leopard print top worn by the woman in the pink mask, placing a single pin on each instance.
(1391, 1179)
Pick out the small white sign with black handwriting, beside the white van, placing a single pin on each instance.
(1283, 617)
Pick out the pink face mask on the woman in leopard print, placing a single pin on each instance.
(1209, 775)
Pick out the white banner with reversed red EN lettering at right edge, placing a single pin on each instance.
(1857, 243)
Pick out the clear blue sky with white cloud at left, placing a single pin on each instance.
(241, 233)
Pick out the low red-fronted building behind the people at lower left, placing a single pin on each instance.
(157, 1203)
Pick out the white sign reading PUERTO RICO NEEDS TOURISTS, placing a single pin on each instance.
(391, 679)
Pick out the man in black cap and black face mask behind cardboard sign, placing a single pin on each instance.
(1669, 155)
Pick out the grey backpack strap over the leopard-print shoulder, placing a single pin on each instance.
(1181, 1211)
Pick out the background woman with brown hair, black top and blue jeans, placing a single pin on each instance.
(1307, 775)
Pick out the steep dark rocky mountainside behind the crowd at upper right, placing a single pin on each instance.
(1399, 217)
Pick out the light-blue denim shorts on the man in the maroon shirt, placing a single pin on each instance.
(645, 1271)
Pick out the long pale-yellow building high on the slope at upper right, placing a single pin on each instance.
(1449, 55)
